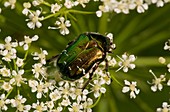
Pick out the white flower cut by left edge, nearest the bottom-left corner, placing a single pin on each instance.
(3, 102)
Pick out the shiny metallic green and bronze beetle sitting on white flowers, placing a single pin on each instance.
(82, 56)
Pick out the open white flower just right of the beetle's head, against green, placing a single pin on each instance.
(126, 62)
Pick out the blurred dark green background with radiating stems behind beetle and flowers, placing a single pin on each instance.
(143, 35)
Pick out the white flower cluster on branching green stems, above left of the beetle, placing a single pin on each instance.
(62, 23)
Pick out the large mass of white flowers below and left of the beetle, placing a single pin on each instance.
(27, 89)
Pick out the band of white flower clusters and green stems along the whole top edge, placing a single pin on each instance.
(64, 10)
